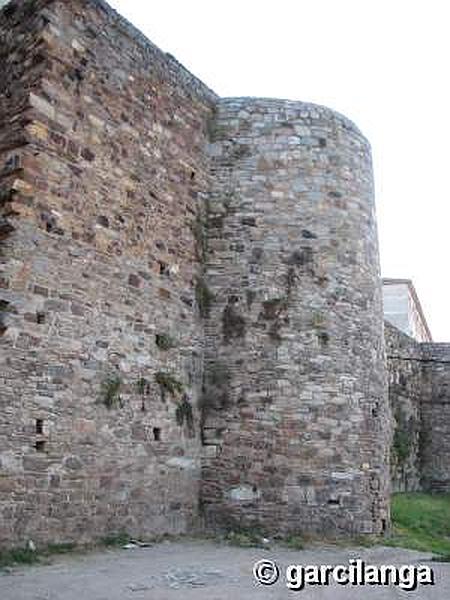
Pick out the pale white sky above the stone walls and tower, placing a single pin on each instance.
(382, 63)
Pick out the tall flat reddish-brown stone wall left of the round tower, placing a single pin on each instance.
(102, 140)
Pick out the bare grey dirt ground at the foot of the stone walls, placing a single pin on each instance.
(205, 570)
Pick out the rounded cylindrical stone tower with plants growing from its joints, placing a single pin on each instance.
(295, 401)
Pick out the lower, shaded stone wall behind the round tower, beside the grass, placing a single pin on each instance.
(419, 393)
